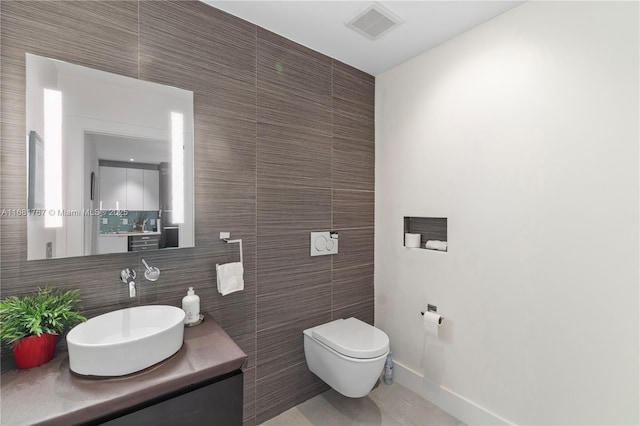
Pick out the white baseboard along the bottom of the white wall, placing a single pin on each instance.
(454, 404)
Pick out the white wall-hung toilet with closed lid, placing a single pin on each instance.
(347, 354)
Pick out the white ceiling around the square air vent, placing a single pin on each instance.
(320, 25)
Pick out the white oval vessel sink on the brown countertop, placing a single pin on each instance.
(125, 341)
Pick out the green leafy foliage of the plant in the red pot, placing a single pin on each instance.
(49, 310)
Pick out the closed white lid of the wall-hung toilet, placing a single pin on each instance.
(352, 337)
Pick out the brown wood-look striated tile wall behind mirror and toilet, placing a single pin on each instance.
(284, 145)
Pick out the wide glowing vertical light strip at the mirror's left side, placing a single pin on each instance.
(53, 158)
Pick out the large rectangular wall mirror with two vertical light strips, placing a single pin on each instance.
(110, 162)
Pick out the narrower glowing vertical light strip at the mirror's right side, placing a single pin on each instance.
(177, 167)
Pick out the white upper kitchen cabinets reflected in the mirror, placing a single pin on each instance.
(129, 189)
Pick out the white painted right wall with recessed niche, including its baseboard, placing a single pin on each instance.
(524, 133)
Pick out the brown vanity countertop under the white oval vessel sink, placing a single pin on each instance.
(52, 395)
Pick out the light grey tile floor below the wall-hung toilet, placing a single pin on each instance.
(385, 405)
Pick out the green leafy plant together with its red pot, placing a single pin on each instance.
(31, 324)
